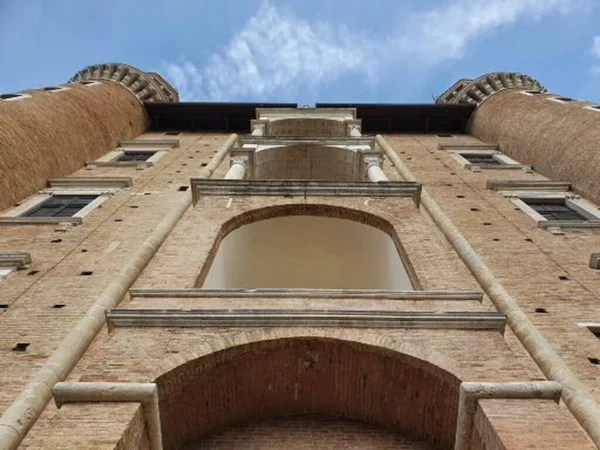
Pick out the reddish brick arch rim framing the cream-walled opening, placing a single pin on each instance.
(319, 210)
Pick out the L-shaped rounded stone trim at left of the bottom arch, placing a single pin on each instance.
(144, 393)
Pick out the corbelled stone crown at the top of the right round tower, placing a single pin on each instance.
(474, 92)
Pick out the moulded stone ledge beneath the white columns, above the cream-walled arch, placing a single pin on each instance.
(302, 188)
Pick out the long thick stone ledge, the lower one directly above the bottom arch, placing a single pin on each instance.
(232, 318)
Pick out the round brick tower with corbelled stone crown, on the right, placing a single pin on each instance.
(559, 136)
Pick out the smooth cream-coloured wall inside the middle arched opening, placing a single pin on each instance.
(310, 252)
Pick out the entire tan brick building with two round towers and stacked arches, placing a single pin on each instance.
(230, 276)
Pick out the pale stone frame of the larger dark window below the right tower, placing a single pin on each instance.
(573, 201)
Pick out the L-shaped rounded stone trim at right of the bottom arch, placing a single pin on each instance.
(470, 393)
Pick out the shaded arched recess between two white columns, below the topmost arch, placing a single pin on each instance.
(308, 161)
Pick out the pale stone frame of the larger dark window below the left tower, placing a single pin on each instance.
(16, 215)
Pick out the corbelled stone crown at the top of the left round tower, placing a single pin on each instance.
(146, 86)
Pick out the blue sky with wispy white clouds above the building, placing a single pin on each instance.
(306, 51)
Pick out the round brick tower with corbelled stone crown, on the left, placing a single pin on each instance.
(51, 132)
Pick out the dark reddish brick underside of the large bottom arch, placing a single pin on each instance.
(308, 375)
